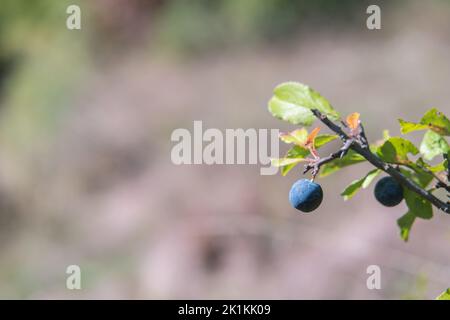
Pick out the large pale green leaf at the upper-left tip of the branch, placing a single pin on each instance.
(293, 102)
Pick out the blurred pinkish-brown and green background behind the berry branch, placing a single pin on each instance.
(85, 172)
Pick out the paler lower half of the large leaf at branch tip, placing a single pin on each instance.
(290, 112)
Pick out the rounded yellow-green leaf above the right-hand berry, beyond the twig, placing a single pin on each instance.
(396, 150)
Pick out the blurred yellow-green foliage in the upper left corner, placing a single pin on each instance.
(41, 63)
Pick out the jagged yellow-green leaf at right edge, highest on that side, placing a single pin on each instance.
(433, 120)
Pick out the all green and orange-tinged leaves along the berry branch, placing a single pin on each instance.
(295, 102)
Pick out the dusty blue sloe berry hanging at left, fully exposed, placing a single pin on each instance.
(305, 195)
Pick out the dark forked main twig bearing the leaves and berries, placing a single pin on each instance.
(358, 147)
